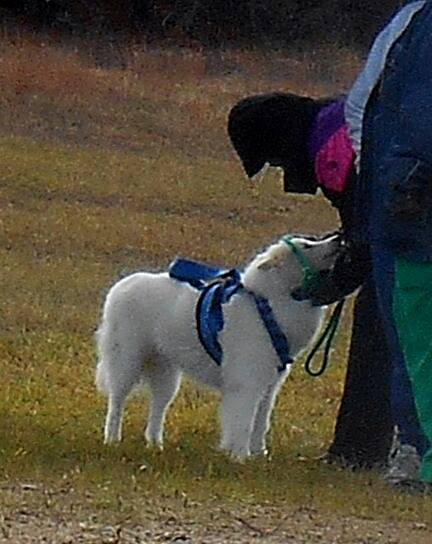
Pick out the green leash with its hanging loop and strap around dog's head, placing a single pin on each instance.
(311, 278)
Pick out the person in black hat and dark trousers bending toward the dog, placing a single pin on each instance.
(306, 138)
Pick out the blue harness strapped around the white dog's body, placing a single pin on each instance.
(217, 286)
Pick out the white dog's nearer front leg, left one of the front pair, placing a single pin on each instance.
(237, 413)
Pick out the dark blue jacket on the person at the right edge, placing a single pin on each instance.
(394, 192)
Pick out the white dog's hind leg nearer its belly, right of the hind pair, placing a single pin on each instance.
(164, 381)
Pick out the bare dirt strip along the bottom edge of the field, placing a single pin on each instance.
(39, 514)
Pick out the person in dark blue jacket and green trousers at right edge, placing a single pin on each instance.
(388, 112)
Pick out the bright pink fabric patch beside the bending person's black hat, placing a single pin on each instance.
(334, 161)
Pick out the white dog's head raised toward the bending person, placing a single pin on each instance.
(297, 257)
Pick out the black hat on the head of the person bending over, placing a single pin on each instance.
(275, 128)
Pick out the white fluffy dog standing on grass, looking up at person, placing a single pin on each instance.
(149, 335)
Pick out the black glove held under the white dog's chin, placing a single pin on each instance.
(346, 275)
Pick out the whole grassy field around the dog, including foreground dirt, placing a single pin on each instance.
(107, 168)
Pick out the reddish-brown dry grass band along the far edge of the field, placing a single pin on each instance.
(59, 91)
